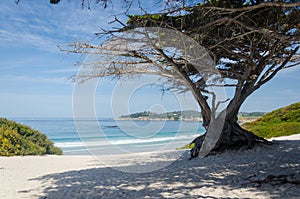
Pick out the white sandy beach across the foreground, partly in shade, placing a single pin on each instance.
(271, 171)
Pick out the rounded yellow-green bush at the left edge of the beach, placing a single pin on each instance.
(18, 139)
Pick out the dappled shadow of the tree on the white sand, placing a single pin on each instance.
(230, 175)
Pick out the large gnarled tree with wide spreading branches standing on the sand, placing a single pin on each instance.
(249, 42)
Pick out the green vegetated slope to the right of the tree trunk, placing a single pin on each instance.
(281, 122)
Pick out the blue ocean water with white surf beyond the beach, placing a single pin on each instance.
(108, 136)
